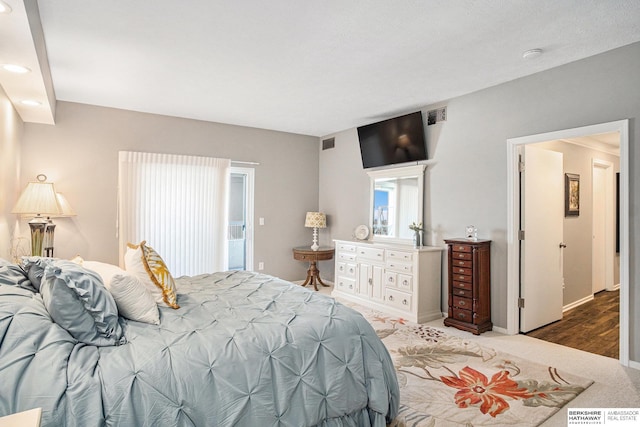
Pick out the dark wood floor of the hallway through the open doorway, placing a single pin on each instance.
(592, 327)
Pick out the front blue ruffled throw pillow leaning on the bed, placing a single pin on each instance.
(78, 301)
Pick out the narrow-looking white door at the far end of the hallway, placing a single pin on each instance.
(598, 270)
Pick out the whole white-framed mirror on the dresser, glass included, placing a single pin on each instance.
(396, 202)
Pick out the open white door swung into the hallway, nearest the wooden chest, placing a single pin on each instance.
(542, 216)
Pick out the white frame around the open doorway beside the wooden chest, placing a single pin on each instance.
(513, 220)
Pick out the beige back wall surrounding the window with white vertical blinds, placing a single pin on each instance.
(80, 155)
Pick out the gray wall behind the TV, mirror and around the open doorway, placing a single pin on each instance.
(468, 183)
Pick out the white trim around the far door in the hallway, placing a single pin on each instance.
(609, 220)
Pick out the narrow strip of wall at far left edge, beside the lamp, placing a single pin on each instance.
(11, 129)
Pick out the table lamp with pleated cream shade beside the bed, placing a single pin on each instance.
(38, 199)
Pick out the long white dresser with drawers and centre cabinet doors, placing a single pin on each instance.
(396, 279)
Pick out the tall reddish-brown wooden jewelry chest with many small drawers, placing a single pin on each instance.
(469, 285)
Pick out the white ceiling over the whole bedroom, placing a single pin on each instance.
(299, 66)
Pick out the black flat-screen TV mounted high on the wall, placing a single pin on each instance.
(392, 141)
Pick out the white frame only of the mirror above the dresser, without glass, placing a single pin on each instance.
(402, 172)
